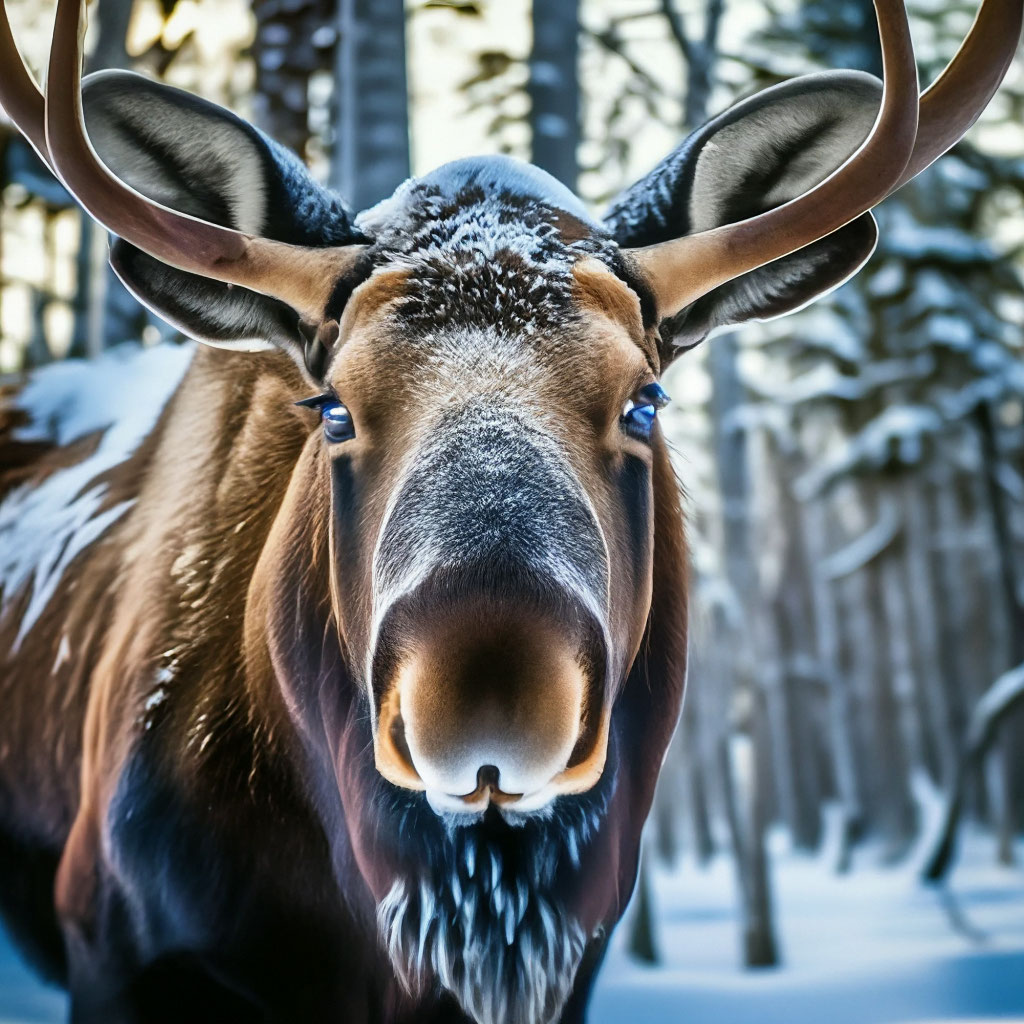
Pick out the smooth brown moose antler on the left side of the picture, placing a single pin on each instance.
(303, 277)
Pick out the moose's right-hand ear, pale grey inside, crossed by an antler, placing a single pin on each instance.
(758, 155)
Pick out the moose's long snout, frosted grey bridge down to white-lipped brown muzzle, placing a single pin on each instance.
(488, 668)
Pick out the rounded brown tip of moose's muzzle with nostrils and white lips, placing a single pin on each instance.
(489, 703)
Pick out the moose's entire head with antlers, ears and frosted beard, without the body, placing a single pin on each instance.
(472, 600)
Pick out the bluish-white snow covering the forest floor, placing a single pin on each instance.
(871, 948)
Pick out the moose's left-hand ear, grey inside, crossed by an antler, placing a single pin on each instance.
(200, 159)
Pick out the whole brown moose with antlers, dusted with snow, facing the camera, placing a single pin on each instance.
(340, 651)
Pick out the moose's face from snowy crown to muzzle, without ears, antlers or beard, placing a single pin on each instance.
(493, 532)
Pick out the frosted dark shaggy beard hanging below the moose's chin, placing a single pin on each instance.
(486, 925)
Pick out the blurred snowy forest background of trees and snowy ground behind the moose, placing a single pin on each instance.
(839, 830)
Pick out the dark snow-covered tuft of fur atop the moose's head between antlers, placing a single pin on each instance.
(489, 243)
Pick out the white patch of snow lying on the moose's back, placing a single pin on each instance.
(45, 527)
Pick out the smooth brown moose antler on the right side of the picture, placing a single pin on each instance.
(898, 148)
